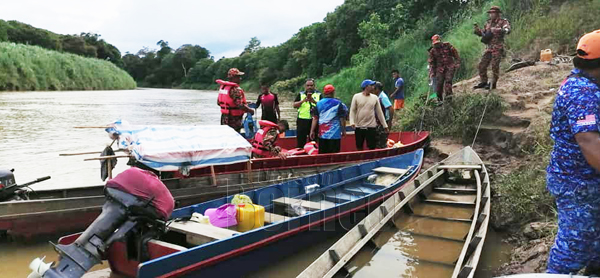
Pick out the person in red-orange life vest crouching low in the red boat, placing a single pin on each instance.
(263, 144)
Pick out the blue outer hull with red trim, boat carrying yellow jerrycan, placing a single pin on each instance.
(234, 256)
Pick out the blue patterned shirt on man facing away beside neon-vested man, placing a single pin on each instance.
(330, 112)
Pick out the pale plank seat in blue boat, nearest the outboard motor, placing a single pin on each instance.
(198, 234)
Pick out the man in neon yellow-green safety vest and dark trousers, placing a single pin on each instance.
(304, 102)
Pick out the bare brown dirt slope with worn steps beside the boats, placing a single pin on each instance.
(509, 144)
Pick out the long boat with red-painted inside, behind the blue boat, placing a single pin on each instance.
(46, 211)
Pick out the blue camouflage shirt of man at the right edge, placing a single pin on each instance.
(575, 111)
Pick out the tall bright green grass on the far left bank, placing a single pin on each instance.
(27, 67)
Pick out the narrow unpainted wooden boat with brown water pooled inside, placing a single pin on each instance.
(430, 228)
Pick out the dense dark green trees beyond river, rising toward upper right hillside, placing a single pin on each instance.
(348, 36)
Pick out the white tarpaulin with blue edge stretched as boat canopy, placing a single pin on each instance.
(181, 148)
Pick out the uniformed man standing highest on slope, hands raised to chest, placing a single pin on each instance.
(493, 35)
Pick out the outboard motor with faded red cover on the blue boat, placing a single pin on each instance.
(137, 202)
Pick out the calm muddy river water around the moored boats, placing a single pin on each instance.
(35, 127)
